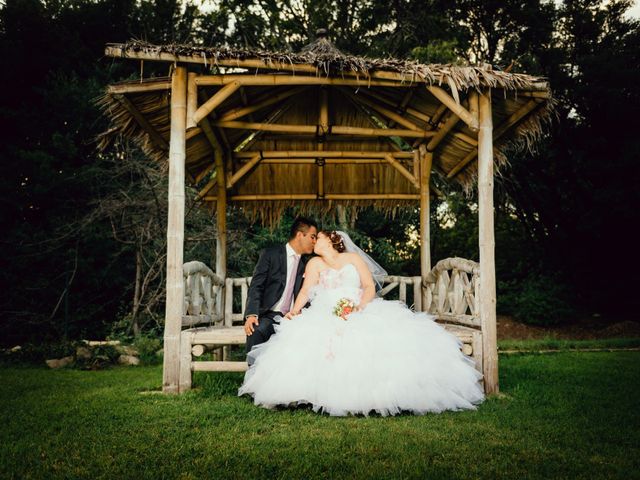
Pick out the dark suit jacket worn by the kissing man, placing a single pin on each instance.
(269, 280)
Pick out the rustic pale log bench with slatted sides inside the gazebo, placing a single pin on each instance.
(215, 325)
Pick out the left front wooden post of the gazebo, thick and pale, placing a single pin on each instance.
(175, 232)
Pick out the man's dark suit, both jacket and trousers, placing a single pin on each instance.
(267, 286)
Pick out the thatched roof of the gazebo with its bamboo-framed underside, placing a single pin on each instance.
(362, 94)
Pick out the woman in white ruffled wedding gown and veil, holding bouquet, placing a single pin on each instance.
(352, 353)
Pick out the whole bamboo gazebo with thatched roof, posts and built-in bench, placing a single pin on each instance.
(321, 129)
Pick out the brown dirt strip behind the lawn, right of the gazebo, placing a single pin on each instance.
(587, 329)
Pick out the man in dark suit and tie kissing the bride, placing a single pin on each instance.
(276, 281)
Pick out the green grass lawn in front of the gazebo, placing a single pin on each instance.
(564, 415)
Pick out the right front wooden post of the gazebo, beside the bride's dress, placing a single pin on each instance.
(487, 245)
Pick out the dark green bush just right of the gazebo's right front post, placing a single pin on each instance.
(538, 299)
